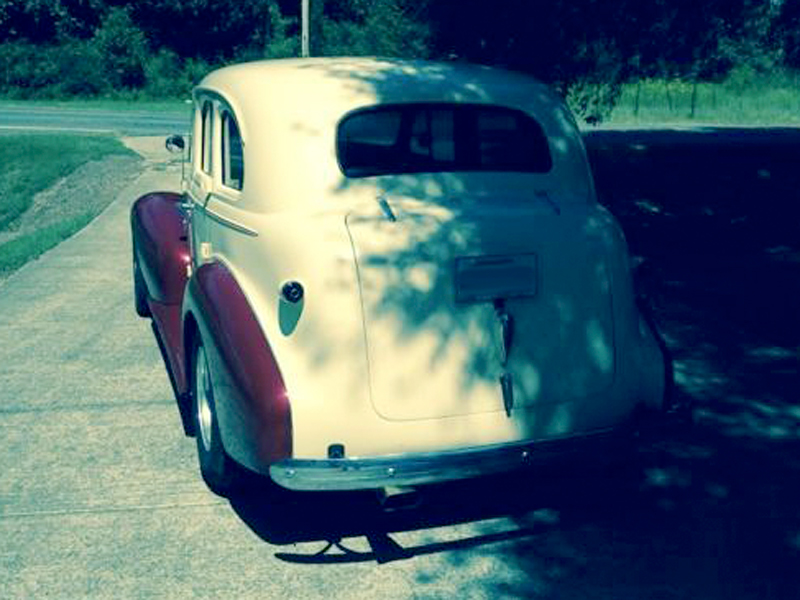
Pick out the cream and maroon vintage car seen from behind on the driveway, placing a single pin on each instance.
(385, 273)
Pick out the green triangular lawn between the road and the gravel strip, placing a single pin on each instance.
(31, 163)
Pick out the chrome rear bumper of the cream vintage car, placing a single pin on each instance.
(421, 468)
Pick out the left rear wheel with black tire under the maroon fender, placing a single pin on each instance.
(219, 471)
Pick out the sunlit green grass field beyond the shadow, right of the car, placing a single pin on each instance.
(741, 100)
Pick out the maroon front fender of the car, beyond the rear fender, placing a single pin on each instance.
(160, 240)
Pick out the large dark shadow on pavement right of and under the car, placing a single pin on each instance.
(710, 512)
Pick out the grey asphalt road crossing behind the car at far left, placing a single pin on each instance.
(89, 120)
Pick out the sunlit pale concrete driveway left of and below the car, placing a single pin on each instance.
(100, 496)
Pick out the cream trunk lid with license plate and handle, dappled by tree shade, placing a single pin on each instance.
(462, 302)
